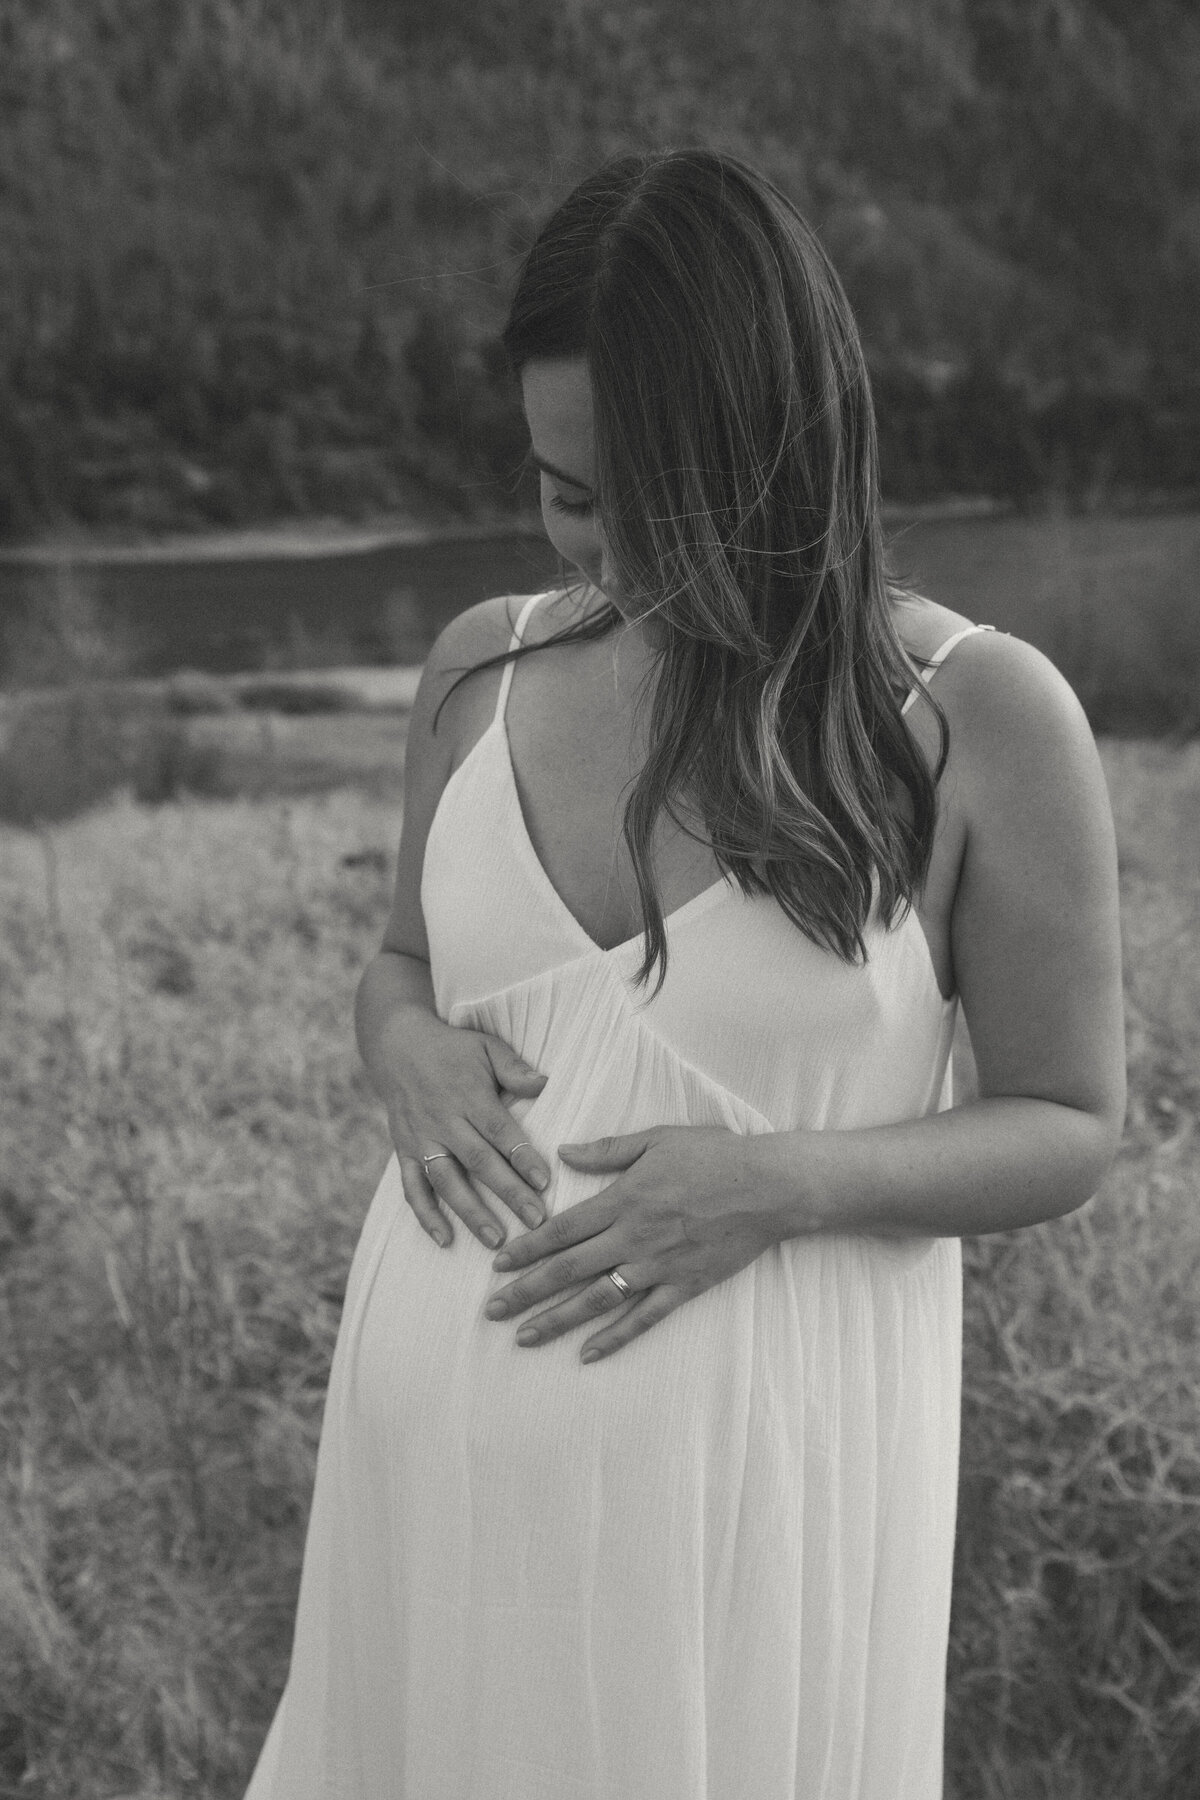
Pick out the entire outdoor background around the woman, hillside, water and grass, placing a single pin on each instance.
(258, 444)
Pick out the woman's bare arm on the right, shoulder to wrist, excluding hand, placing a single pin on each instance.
(1037, 958)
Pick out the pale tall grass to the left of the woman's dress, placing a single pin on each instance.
(188, 1153)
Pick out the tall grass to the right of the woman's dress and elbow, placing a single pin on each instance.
(1077, 1646)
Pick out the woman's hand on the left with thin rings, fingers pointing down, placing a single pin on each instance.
(445, 1086)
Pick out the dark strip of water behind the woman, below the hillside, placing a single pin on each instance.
(1111, 600)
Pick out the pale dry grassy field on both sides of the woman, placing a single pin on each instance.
(188, 1151)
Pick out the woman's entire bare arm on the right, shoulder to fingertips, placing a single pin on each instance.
(1039, 969)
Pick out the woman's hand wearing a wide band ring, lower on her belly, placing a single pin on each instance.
(686, 1212)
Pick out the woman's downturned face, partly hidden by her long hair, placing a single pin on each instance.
(559, 408)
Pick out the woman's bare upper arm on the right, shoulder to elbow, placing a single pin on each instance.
(1035, 919)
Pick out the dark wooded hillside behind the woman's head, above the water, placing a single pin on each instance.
(258, 251)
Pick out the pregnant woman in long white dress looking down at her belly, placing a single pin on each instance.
(694, 876)
